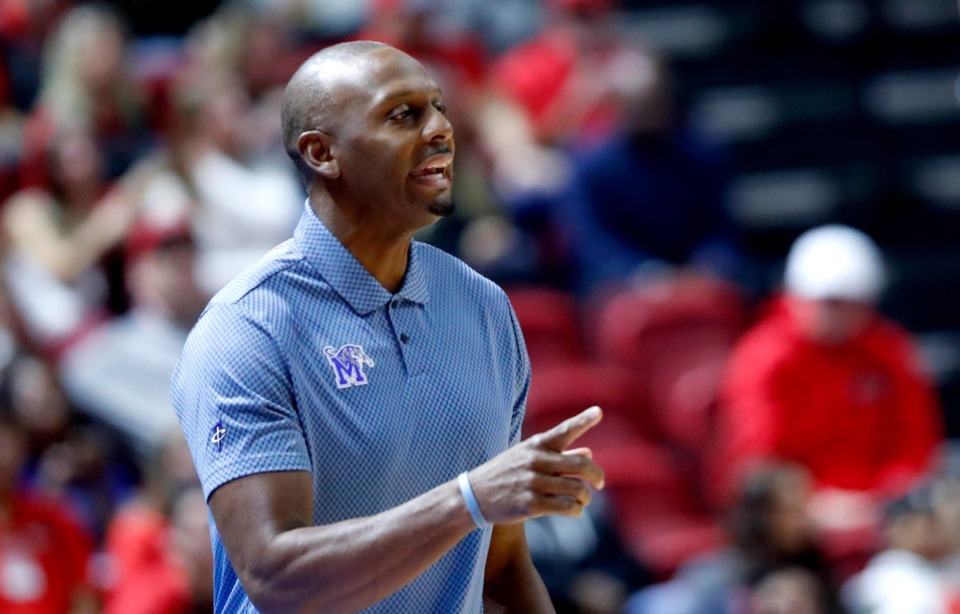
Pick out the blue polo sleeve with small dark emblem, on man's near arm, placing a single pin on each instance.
(233, 396)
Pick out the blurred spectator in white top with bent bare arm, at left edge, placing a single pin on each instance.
(55, 243)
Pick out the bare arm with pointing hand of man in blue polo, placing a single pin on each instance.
(286, 564)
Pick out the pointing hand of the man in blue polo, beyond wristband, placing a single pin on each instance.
(540, 476)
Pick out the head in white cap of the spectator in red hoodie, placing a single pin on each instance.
(834, 277)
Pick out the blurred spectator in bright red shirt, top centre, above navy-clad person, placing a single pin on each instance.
(548, 93)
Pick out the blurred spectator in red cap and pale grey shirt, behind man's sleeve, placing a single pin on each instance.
(121, 371)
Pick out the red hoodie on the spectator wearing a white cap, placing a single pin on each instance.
(859, 417)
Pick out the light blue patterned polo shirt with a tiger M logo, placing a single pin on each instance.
(305, 362)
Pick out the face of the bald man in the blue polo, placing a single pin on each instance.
(394, 145)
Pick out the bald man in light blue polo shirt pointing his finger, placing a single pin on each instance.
(353, 402)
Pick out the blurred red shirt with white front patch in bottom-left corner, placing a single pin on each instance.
(44, 556)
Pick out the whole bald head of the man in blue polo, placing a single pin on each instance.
(365, 125)
